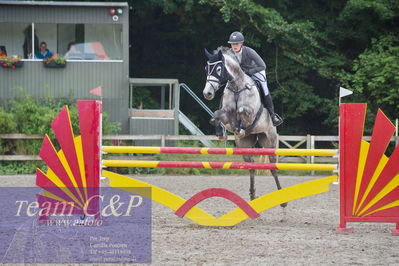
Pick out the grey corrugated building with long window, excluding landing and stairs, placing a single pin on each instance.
(93, 35)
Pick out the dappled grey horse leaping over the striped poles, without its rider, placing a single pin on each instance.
(242, 111)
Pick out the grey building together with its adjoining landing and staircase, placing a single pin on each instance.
(94, 37)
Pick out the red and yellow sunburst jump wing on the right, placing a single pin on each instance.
(369, 180)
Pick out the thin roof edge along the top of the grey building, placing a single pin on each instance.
(63, 3)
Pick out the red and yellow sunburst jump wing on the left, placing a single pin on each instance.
(73, 172)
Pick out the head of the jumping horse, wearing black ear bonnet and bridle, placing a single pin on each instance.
(217, 74)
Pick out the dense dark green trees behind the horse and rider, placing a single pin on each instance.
(310, 48)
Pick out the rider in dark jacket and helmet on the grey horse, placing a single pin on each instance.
(253, 65)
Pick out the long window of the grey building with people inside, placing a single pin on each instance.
(75, 41)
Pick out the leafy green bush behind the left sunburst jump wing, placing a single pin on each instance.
(27, 115)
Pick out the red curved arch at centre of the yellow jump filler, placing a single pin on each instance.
(217, 192)
